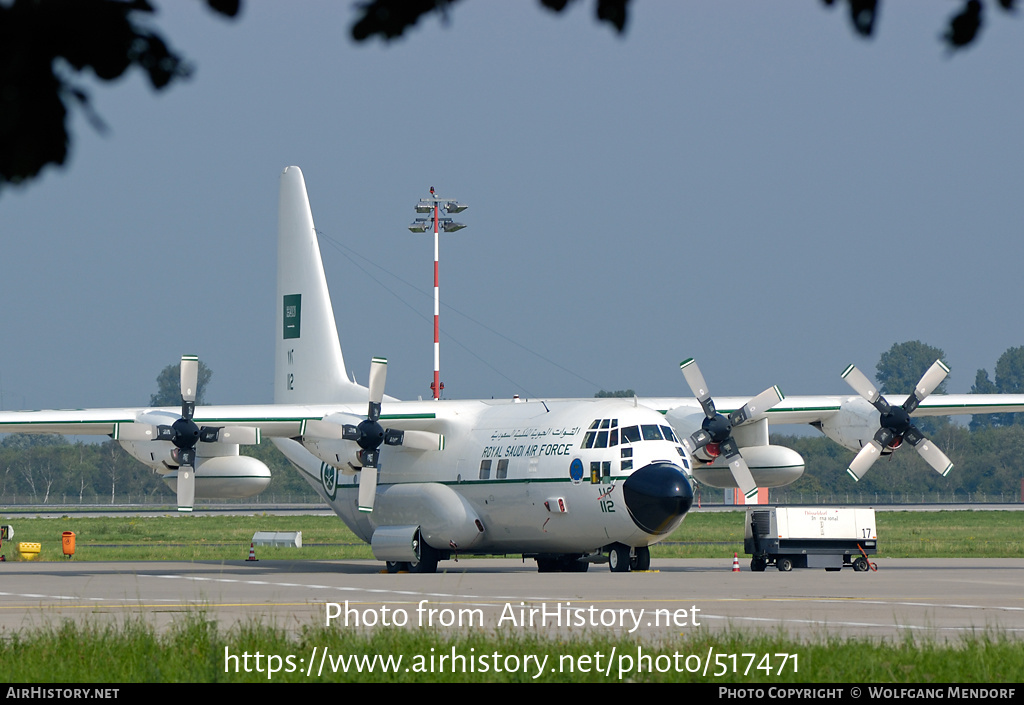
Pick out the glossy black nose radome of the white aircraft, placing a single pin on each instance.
(658, 496)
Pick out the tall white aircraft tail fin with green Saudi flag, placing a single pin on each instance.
(309, 364)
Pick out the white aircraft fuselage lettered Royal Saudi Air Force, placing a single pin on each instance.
(531, 477)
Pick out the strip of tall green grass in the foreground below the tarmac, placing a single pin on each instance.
(196, 651)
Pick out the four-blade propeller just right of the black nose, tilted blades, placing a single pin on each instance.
(715, 435)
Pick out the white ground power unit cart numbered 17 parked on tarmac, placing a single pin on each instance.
(810, 537)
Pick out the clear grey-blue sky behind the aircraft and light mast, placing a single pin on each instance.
(747, 184)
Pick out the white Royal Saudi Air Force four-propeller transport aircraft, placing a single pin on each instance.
(566, 482)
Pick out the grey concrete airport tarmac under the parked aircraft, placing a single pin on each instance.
(936, 599)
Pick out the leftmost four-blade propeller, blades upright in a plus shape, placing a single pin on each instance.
(185, 434)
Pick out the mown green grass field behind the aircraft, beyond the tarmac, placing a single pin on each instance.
(902, 534)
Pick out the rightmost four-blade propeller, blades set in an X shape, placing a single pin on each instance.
(894, 423)
